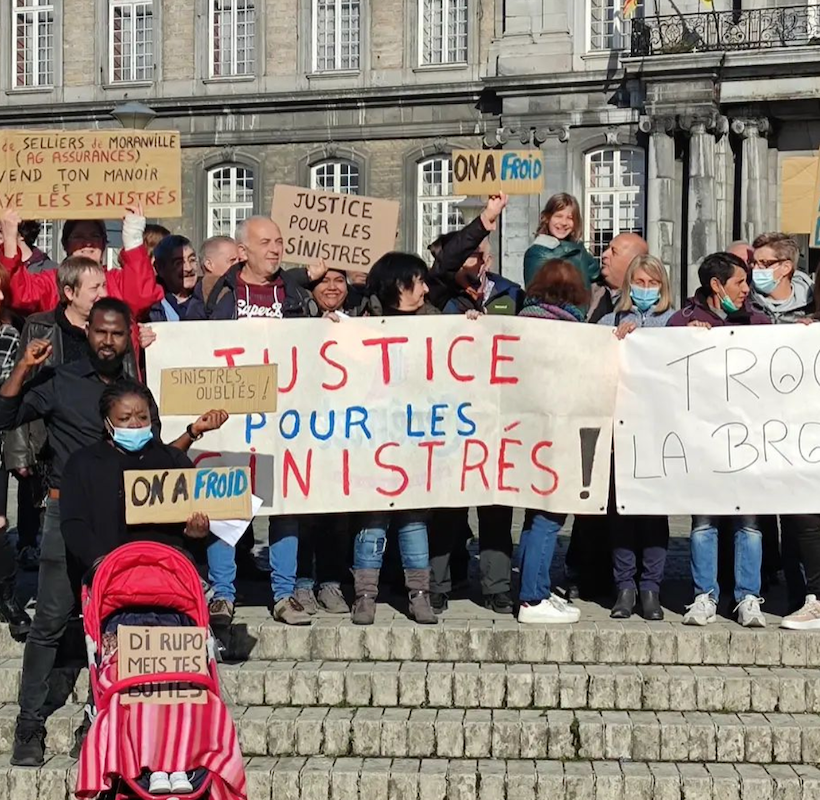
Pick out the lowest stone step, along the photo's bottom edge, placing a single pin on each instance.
(469, 779)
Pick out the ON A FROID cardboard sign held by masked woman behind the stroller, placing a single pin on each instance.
(172, 495)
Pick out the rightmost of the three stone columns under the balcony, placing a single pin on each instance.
(754, 169)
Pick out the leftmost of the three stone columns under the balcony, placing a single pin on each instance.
(662, 201)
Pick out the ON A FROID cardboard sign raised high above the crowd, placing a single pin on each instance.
(485, 172)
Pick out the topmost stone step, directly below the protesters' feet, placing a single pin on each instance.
(477, 636)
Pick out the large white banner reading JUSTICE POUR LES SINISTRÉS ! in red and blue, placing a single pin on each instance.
(388, 414)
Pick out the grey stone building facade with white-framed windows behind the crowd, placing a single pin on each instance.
(674, 123)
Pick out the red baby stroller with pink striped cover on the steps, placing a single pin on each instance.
(149, 584)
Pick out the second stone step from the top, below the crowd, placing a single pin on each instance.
(417, 684)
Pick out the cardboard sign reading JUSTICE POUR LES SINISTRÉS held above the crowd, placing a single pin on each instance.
(348, 231)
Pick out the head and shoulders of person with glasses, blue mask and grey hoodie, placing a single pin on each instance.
(779, 290)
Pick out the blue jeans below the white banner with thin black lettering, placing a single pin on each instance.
(703, 551)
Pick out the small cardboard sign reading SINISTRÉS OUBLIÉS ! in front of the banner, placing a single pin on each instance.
(238, 390)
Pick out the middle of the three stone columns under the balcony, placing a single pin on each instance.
(701, 199)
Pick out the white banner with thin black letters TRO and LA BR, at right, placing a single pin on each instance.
(722, 421)
